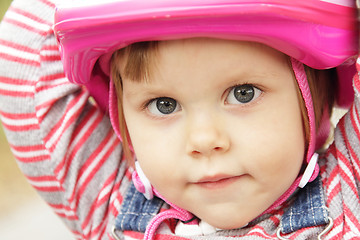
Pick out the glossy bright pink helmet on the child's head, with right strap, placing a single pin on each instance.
(319, 33)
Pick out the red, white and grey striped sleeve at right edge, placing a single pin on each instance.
(342, 172)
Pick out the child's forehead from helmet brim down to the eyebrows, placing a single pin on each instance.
(211, 63)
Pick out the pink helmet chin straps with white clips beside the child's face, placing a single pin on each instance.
(144, 186)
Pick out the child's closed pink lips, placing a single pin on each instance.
(217, 181)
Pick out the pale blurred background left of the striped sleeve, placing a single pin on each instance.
(23, 215)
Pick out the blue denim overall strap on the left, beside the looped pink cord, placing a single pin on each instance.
(137, 211)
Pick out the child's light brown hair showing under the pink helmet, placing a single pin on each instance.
(140, 58)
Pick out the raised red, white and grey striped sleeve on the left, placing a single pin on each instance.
(63, 143)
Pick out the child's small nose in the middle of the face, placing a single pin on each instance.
(207, 136)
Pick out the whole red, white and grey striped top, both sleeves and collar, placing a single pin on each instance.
(66, 147)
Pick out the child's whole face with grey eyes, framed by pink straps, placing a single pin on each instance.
(217, 129)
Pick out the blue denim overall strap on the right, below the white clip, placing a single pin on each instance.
(308, 210)
